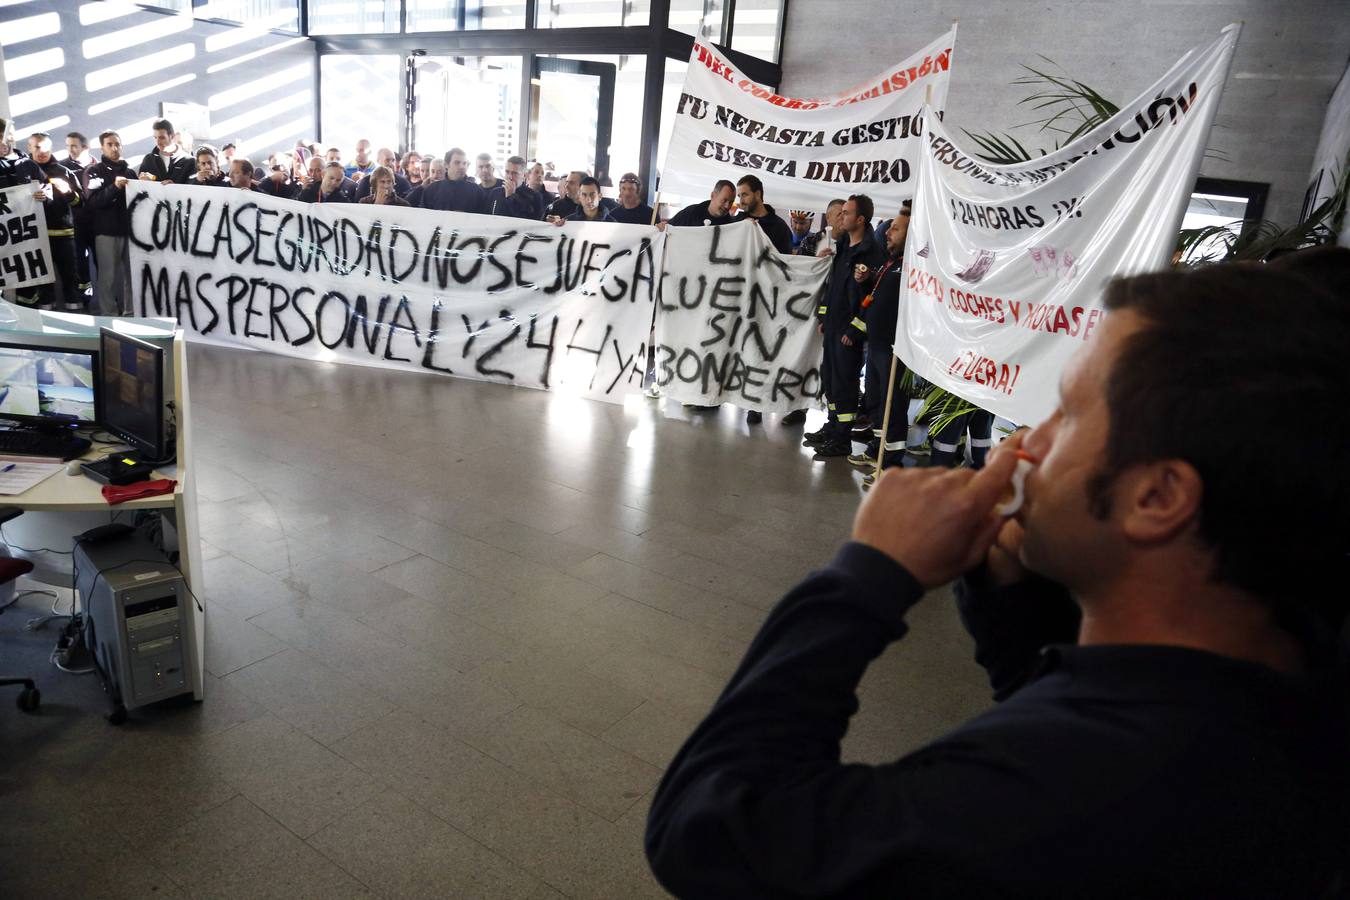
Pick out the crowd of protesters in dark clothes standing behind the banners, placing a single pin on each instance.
(83, 194)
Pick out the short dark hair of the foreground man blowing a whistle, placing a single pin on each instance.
(1221, 347)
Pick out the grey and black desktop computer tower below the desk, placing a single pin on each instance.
(136, 604)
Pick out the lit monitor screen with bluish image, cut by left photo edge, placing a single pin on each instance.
(49, 385)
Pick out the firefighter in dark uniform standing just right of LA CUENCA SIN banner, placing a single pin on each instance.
(858, 258)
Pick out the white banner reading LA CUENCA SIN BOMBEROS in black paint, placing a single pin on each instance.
(738, 320)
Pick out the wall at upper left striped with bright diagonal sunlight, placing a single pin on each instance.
(90, 67)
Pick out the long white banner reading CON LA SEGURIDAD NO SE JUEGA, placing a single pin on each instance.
(503, 300)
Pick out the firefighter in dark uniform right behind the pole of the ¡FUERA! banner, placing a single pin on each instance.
(881, 314)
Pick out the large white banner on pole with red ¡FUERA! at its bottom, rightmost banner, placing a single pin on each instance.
(1005, 265)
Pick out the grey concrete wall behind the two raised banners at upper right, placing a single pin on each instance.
(1289, 63)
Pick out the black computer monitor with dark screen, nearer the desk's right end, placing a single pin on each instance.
(134, 392)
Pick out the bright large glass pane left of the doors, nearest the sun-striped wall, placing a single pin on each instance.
(360, 99)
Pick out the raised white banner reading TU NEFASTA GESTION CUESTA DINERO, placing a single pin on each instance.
(808, 152)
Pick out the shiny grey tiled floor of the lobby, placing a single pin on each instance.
(454, 634)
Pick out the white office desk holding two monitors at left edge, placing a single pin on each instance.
(76, 493)
